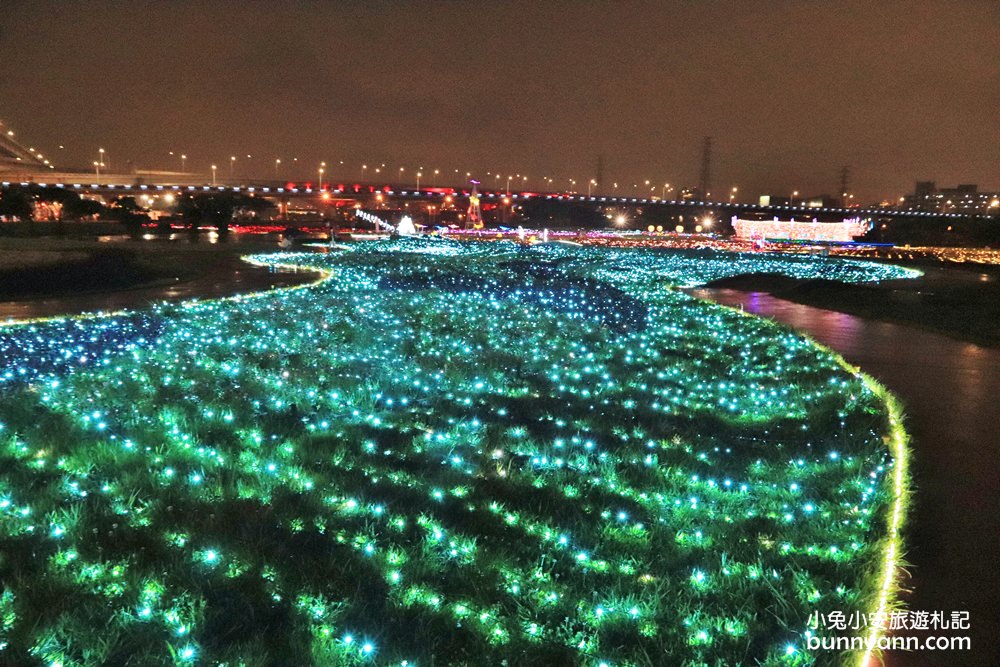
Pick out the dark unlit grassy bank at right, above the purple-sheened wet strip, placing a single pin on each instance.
(959, 303)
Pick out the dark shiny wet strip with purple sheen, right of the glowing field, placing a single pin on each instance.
(951, 394)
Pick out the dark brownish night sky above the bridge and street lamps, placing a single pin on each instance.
(789, 91)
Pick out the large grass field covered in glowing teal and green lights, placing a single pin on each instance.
(452, 452)
